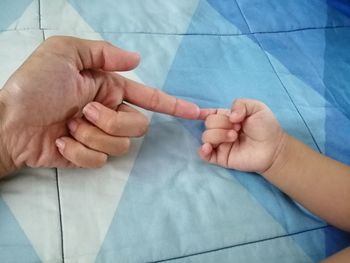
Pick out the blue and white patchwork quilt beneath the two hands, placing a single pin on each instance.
(161, 203)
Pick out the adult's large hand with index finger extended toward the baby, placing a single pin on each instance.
(68, 82)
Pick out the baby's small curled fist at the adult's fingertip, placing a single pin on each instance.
(247, 138)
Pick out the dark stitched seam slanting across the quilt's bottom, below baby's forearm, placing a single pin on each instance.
(242, 244)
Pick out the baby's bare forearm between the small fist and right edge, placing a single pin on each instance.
(317, 182)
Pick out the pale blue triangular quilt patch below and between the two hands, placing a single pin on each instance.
(174, 204)
